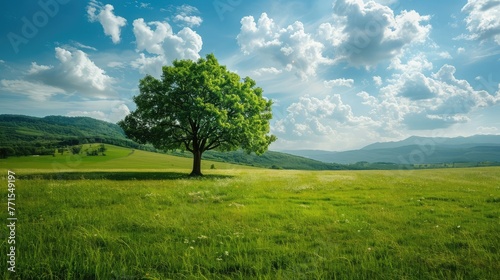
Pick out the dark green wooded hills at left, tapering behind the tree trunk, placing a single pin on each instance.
(26, 135)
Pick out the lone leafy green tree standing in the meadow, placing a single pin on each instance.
(200, 106)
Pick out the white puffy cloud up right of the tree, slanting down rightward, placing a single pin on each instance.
(291, 47)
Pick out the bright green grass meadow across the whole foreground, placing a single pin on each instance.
(138, 216)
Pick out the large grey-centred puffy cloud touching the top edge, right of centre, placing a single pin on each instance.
(371, 33)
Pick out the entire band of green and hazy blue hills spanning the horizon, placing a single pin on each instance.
(25, 135)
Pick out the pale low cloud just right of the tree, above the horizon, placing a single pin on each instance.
(315, 123)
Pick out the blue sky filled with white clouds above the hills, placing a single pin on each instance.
(342, 74)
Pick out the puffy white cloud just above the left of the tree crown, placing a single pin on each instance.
(186, 44)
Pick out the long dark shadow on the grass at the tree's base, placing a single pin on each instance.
(119, 176)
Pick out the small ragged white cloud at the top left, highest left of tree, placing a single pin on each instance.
(111, 23)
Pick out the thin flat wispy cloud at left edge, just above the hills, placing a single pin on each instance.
(35, 91)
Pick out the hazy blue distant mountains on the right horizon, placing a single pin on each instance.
(416, 150)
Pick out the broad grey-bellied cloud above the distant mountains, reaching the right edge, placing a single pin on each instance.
(420, 102)
